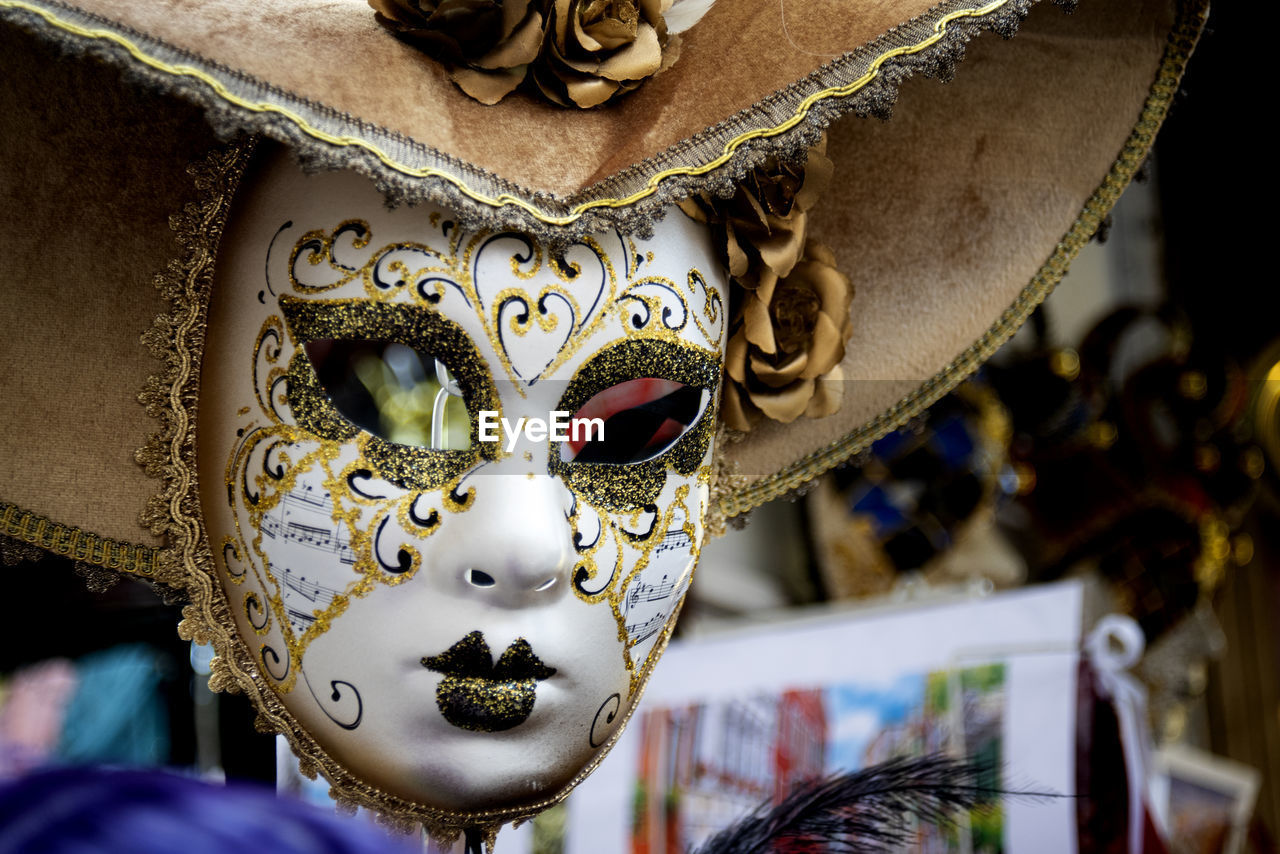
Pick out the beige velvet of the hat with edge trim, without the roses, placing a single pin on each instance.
(953, 220)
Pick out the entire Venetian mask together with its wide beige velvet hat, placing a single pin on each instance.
(433, 478)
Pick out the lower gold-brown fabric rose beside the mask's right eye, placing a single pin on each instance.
(787, 344)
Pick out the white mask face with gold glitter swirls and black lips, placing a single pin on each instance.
(459, 622)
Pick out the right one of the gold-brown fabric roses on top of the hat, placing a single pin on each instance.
(596, 51)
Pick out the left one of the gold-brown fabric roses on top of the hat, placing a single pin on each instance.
(487, 45)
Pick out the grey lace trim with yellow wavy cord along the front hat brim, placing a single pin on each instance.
(783, 124)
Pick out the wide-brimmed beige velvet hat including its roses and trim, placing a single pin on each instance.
(947, 159)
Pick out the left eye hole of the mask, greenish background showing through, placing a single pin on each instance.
(394, 392)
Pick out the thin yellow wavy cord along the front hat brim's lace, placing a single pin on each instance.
(508, 199)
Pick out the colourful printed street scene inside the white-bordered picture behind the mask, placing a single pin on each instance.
(703, 766)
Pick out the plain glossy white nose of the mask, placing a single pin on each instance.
(514, 549)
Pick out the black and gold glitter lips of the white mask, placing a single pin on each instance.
(478, 695)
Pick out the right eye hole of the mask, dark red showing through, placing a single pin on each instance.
(642, 419)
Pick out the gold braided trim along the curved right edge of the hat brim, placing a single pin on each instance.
(732, 500)
